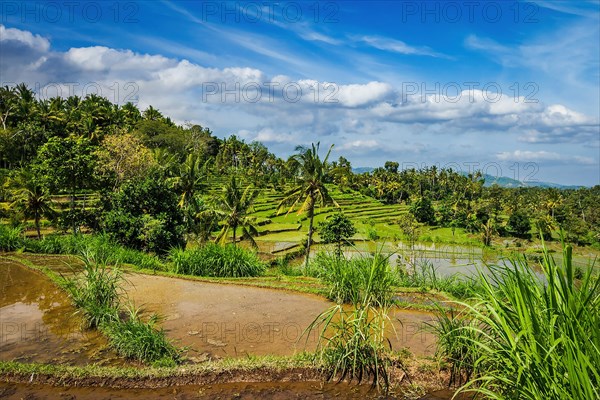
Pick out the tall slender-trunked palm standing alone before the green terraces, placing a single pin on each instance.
(310, 188)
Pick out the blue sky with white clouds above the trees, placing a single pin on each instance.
(509, 87)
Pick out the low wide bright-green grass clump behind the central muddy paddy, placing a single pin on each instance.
(214, 260)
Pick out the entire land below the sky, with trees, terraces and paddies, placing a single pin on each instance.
(144, 258)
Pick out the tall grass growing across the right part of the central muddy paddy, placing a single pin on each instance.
(352, 341)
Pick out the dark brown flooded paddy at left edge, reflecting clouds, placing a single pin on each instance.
(37, 322)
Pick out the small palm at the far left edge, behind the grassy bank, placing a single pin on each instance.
(29, 197)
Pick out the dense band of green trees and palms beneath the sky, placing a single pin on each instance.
(144, 180)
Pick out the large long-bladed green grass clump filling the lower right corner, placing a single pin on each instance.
(531, 338)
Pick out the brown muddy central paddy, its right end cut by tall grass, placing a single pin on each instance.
(229, 320)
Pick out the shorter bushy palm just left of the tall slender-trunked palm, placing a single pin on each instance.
(233, 207)
